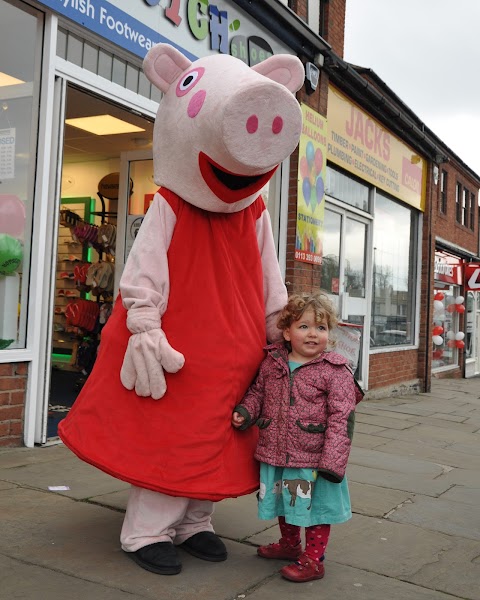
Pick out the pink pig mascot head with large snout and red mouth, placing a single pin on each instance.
(222, 127)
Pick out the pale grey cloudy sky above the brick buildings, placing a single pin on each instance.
(428, 53)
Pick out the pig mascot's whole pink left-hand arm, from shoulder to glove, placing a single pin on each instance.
(144, 287)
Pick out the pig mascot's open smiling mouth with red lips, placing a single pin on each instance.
(230, 187)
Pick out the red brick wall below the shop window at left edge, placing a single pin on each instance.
(13, 378)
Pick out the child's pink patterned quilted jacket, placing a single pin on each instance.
(305, 418)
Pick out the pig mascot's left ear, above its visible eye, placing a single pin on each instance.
(163, 64)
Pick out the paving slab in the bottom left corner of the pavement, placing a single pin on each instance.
(29, 582)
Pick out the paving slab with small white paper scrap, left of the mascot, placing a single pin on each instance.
(83, 480)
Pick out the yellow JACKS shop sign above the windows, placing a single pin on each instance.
(361, 145)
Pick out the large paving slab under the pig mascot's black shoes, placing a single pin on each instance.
(82, 540)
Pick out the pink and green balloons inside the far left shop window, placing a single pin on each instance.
(12, 224)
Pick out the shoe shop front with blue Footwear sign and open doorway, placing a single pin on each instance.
(71, 198)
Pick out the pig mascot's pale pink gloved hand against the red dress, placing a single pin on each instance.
(148, 354)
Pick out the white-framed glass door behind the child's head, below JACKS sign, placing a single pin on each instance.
(344, 270)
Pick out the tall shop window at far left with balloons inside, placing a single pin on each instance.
(21, 52)
